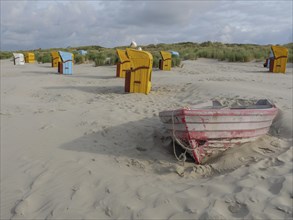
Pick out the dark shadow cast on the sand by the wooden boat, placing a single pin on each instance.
(142, 141)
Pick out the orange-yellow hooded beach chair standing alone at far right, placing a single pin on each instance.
(279, 60)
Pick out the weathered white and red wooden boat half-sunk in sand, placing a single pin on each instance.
(203, 130)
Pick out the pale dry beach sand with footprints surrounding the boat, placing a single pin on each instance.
(78, 147)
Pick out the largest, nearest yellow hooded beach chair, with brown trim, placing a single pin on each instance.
(138, 78)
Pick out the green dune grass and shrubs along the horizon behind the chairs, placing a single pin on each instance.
(187, 50)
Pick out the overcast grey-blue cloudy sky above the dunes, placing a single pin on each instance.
(46, 24)
